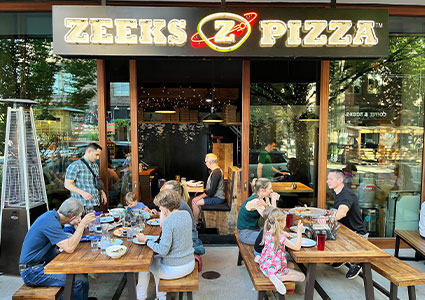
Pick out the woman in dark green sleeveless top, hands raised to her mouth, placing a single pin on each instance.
(252, 209)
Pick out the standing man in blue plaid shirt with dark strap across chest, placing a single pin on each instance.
(83, 181)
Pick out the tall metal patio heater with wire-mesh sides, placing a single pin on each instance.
(23, 194)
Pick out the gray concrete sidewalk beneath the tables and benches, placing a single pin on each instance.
(235, 283)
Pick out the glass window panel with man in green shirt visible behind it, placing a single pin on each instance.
(284, 130)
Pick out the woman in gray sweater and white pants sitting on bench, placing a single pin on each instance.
(175, 251)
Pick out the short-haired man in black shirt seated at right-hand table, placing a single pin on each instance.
(348, 212)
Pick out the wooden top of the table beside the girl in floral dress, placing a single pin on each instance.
(348, 247)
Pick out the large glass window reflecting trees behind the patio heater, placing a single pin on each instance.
(66, 117)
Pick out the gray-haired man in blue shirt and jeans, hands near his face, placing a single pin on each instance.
(41, 242)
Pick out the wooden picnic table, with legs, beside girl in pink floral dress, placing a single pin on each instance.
(348, 247)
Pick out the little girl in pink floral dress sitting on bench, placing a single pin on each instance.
(273, 261)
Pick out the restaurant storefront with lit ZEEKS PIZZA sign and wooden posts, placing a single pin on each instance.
(334, 88)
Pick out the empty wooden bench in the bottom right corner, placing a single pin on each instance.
(400, 274)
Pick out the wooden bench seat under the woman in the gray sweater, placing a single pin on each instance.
(175, 287)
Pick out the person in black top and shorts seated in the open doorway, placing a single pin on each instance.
(214, 190)
